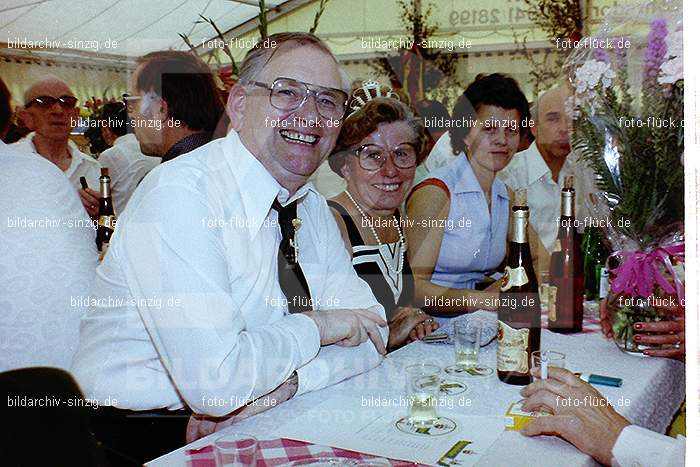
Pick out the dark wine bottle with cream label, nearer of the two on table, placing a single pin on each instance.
(519, 303)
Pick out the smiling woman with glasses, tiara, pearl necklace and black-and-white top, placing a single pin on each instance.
(377, 151)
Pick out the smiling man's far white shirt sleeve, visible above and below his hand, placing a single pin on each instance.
(344, 288)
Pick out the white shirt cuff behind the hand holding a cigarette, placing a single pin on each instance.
(639, 447)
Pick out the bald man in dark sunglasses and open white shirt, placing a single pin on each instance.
(50, 112)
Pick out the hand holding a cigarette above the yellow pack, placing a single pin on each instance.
(582, 416)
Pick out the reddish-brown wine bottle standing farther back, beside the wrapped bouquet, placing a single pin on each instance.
(566, 269)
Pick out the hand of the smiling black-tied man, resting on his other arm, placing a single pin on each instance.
(349, 328)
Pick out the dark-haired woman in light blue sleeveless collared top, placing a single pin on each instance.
(459, 215)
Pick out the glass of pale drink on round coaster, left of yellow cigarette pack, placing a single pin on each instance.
(422, 391)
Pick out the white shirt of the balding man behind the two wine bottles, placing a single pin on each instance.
(528, 170)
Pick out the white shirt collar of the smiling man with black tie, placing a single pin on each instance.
(257, 196)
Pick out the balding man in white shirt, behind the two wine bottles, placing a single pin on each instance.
(543, 166)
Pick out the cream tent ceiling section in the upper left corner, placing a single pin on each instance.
(135, 27)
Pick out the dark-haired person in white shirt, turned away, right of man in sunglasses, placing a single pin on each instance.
(126, 163)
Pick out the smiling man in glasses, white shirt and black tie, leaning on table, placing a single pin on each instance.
(237, 247)
